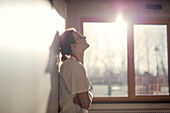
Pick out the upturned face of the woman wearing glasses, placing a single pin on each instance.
(80, 41)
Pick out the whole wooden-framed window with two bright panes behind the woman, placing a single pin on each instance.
(127, 61)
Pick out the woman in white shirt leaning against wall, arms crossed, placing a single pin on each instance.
(74, 90)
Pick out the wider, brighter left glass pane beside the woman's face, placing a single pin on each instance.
(106, 58)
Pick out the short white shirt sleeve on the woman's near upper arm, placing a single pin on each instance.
(75, 78)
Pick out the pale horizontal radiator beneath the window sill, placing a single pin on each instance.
(130, 108)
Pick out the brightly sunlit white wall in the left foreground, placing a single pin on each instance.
(27, 29)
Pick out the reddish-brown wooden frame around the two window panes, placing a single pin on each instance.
(130, 54)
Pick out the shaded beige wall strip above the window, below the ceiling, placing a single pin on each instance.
(109, 9)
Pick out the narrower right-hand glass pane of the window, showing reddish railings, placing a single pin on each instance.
(151, 60)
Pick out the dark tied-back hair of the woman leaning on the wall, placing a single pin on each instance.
(66, 39)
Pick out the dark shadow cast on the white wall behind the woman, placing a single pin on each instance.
(52, 68)
